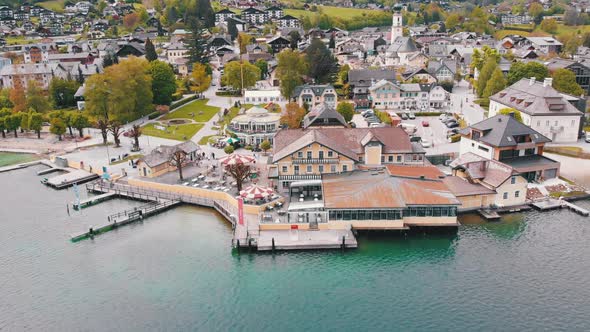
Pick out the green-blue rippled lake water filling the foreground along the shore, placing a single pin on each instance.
(176, 271)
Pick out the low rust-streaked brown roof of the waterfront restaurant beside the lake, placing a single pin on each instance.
(377, 189)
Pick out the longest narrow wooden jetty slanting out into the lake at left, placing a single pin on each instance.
(124, 218)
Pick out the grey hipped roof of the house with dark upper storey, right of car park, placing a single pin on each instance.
(499, 131)
